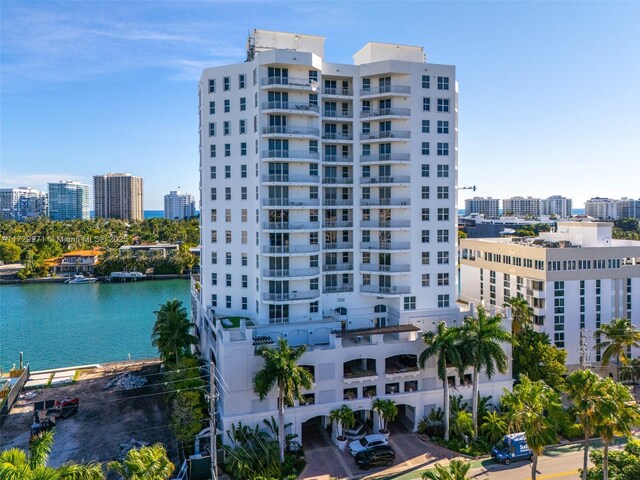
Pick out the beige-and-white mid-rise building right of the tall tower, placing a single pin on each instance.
(575, 279)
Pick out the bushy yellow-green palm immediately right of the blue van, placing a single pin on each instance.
(536, 409)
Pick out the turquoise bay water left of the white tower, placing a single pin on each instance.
(59, 325)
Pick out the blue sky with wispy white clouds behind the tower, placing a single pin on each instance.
(549, 92)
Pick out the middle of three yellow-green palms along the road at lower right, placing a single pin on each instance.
(585, 390)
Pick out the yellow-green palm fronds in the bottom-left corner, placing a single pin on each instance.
(15, 464)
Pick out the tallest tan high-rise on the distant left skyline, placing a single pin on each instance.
(118, 195)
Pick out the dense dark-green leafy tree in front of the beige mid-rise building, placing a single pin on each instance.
(535, 357)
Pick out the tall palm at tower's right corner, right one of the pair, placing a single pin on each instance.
(480, 340)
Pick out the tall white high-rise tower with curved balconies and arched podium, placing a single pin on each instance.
(328, 219)
